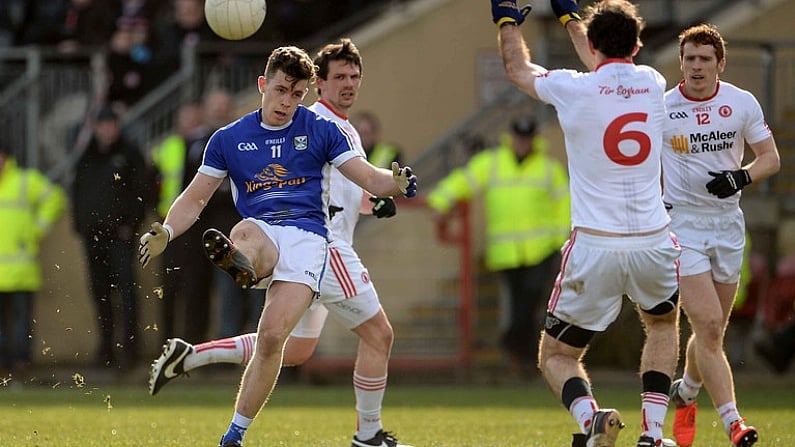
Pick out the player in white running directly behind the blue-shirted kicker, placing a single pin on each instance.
(345, 290)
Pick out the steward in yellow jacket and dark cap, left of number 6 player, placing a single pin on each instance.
(526, 203)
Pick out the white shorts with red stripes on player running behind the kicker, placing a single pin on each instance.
(345, 291)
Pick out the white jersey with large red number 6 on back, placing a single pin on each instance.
(612, 121)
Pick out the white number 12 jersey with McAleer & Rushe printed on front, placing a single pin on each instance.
(703, 135)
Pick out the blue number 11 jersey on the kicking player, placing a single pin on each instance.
(279, 175)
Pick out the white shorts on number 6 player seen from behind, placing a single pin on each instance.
(597, 271)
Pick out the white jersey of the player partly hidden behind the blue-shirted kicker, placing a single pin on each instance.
(345, 197)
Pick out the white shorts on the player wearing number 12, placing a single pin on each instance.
(711, 241)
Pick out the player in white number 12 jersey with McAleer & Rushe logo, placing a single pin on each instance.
(708, 123)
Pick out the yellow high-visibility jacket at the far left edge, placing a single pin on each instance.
(29, 206)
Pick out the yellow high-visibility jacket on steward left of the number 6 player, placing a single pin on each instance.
(526, 205)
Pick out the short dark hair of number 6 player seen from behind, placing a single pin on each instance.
(614, 27)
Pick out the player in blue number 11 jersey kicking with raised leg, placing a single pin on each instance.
(278, 159)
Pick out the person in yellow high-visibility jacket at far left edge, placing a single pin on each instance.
(30, 204)
